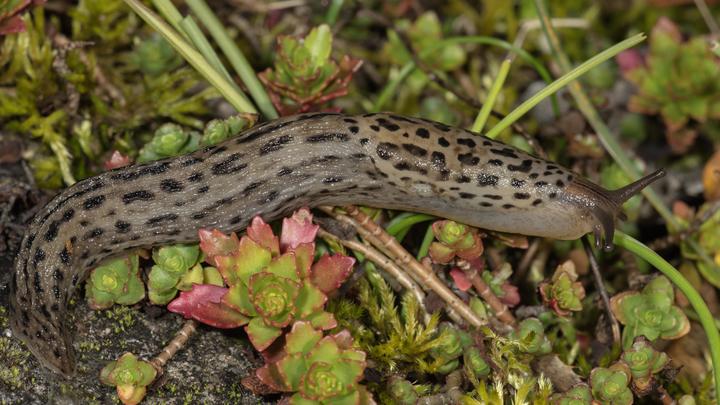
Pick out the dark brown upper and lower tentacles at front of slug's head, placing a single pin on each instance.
(615, 199)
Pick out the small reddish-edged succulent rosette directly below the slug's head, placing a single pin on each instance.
(563, 293)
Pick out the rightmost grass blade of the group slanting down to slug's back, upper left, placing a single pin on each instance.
(235, 56)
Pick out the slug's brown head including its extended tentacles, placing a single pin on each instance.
(603, 206)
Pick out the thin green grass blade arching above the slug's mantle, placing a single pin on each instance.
(391, 88)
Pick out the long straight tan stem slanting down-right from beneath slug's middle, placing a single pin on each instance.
(426, 276)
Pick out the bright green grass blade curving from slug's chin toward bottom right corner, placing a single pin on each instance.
(704, 315)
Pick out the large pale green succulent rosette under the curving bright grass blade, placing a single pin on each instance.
(650, 313)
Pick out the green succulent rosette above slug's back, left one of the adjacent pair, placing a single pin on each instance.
(169, 140)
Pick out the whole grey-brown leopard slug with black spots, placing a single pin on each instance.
(379, 160)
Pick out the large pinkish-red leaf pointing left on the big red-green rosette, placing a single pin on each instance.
(204, 303)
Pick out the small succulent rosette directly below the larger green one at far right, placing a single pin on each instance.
(644, 361)
